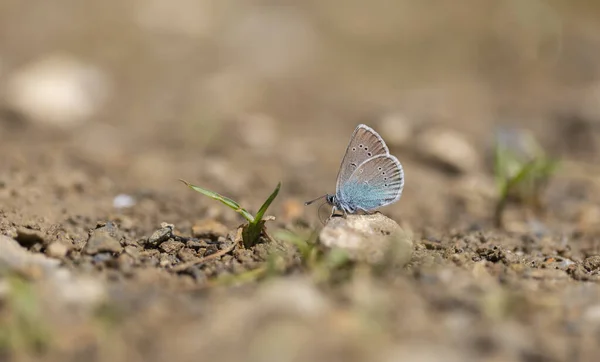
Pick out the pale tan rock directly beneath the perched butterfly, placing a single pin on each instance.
(371, 238)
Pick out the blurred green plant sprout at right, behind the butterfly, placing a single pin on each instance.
(521, 169)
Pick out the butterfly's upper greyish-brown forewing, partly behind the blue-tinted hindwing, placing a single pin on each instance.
(364, 144)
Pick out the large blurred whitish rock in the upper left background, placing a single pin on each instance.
(58, 90)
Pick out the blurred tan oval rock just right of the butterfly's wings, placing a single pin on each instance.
(448, 149)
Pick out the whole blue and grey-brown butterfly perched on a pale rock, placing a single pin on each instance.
(369, 177)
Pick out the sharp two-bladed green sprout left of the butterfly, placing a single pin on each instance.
(255, 228)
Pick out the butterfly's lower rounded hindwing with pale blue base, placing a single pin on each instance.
(376, 182)
